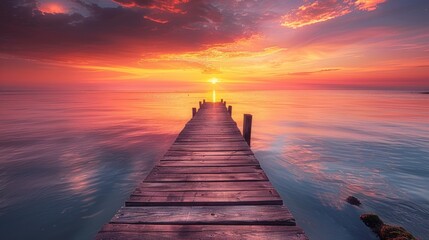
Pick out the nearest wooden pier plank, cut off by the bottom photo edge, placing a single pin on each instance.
(181, 232)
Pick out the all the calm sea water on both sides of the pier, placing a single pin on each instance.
(68, 160)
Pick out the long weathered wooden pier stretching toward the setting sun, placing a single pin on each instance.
(208, 185)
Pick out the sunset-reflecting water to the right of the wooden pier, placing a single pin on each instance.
(319, 147)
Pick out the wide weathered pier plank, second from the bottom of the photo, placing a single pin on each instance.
(233, 215)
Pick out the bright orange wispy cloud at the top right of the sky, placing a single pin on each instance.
(321, 11)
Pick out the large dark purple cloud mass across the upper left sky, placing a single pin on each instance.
(124, 32)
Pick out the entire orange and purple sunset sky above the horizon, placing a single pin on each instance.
(181, 44)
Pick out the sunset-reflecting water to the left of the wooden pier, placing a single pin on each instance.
(68, 160)
